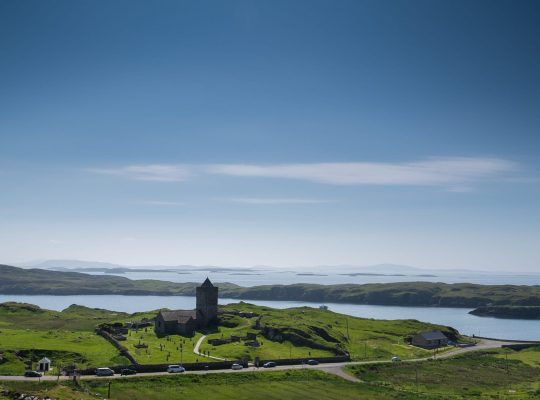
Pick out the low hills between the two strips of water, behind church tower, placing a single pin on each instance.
(35, 281)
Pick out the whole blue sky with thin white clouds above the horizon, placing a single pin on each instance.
(284, 133)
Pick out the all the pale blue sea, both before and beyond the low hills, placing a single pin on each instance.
(459, 318)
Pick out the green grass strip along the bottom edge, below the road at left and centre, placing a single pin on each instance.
(293, 385)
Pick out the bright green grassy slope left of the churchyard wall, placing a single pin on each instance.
(28, 333)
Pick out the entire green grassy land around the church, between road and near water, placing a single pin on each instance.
(28, 332)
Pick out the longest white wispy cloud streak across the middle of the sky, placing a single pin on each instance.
(456, 172)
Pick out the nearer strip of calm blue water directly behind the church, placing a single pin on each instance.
(455, 317)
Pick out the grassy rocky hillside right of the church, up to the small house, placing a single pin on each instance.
(305, 332)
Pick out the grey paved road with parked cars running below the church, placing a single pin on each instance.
(333, 368)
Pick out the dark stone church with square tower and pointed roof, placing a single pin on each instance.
(185, 322)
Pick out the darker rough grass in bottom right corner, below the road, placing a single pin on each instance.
(484, 374)
